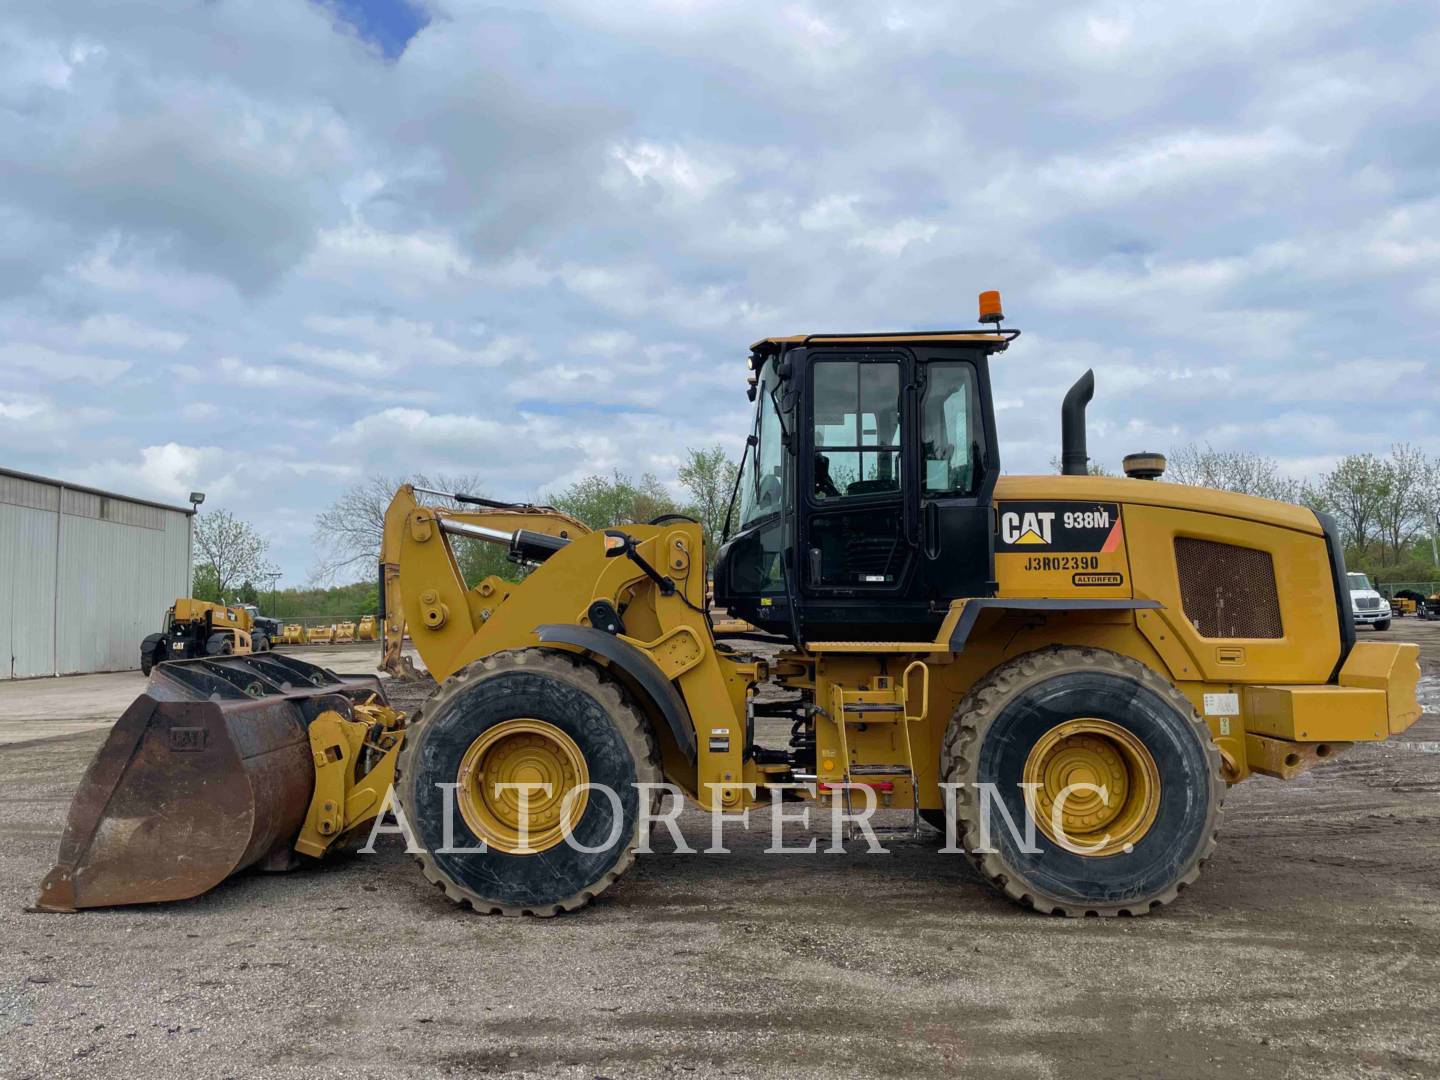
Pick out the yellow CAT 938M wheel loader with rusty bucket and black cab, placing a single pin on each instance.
(1061, 673)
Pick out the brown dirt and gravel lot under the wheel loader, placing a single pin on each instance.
(1311, 948)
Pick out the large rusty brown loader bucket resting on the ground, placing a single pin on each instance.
(207, 774)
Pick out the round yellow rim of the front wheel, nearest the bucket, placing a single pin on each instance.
(522, 771)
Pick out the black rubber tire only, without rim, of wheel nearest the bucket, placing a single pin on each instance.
(595, 718)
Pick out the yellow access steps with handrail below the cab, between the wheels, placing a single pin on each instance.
(882, 703)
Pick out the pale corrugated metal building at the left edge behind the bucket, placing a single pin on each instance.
(84, 575)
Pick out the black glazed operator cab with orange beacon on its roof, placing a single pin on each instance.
(863, 505)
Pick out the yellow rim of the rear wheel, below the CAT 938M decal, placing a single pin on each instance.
(1102, 755)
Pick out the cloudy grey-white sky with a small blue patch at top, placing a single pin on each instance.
(266, 247)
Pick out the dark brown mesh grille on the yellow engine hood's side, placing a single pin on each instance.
(1228, 591)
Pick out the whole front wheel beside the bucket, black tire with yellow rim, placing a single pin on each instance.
(531, 716)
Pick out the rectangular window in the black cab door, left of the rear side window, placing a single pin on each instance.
(858, 428)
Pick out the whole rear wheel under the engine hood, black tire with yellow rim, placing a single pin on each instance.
(1065, 716)
